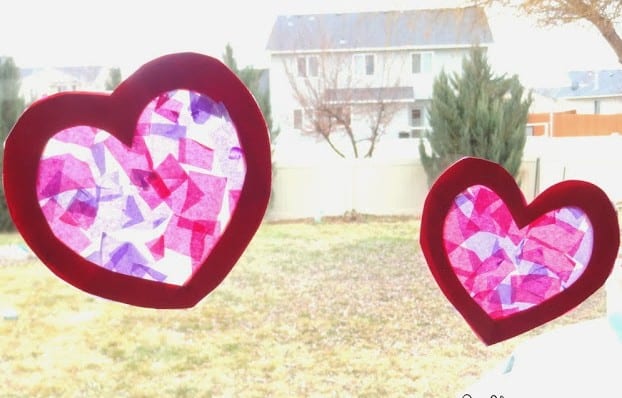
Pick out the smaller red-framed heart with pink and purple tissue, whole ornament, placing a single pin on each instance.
(509, 267)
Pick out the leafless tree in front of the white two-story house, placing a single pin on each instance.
(345, 95)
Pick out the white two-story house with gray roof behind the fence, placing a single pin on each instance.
(372, 71)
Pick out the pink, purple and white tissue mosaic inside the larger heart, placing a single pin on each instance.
(154, 210)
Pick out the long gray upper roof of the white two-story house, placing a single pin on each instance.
(407, 28)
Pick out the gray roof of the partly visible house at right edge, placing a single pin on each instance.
(588, 84)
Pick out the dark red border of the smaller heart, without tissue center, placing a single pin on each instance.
(474, 171)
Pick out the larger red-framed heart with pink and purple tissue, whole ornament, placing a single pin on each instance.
(147, 195)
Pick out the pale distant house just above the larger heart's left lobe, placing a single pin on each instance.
(40, 82)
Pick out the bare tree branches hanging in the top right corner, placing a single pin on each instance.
(602, 14)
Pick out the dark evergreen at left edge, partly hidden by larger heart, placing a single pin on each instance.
(11, 107)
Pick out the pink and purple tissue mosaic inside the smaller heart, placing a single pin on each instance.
(506, 269)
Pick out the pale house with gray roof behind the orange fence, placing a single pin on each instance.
(589, 92)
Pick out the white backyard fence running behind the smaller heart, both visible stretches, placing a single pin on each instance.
(384, 186)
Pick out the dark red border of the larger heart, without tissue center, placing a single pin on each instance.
(117, 113)
